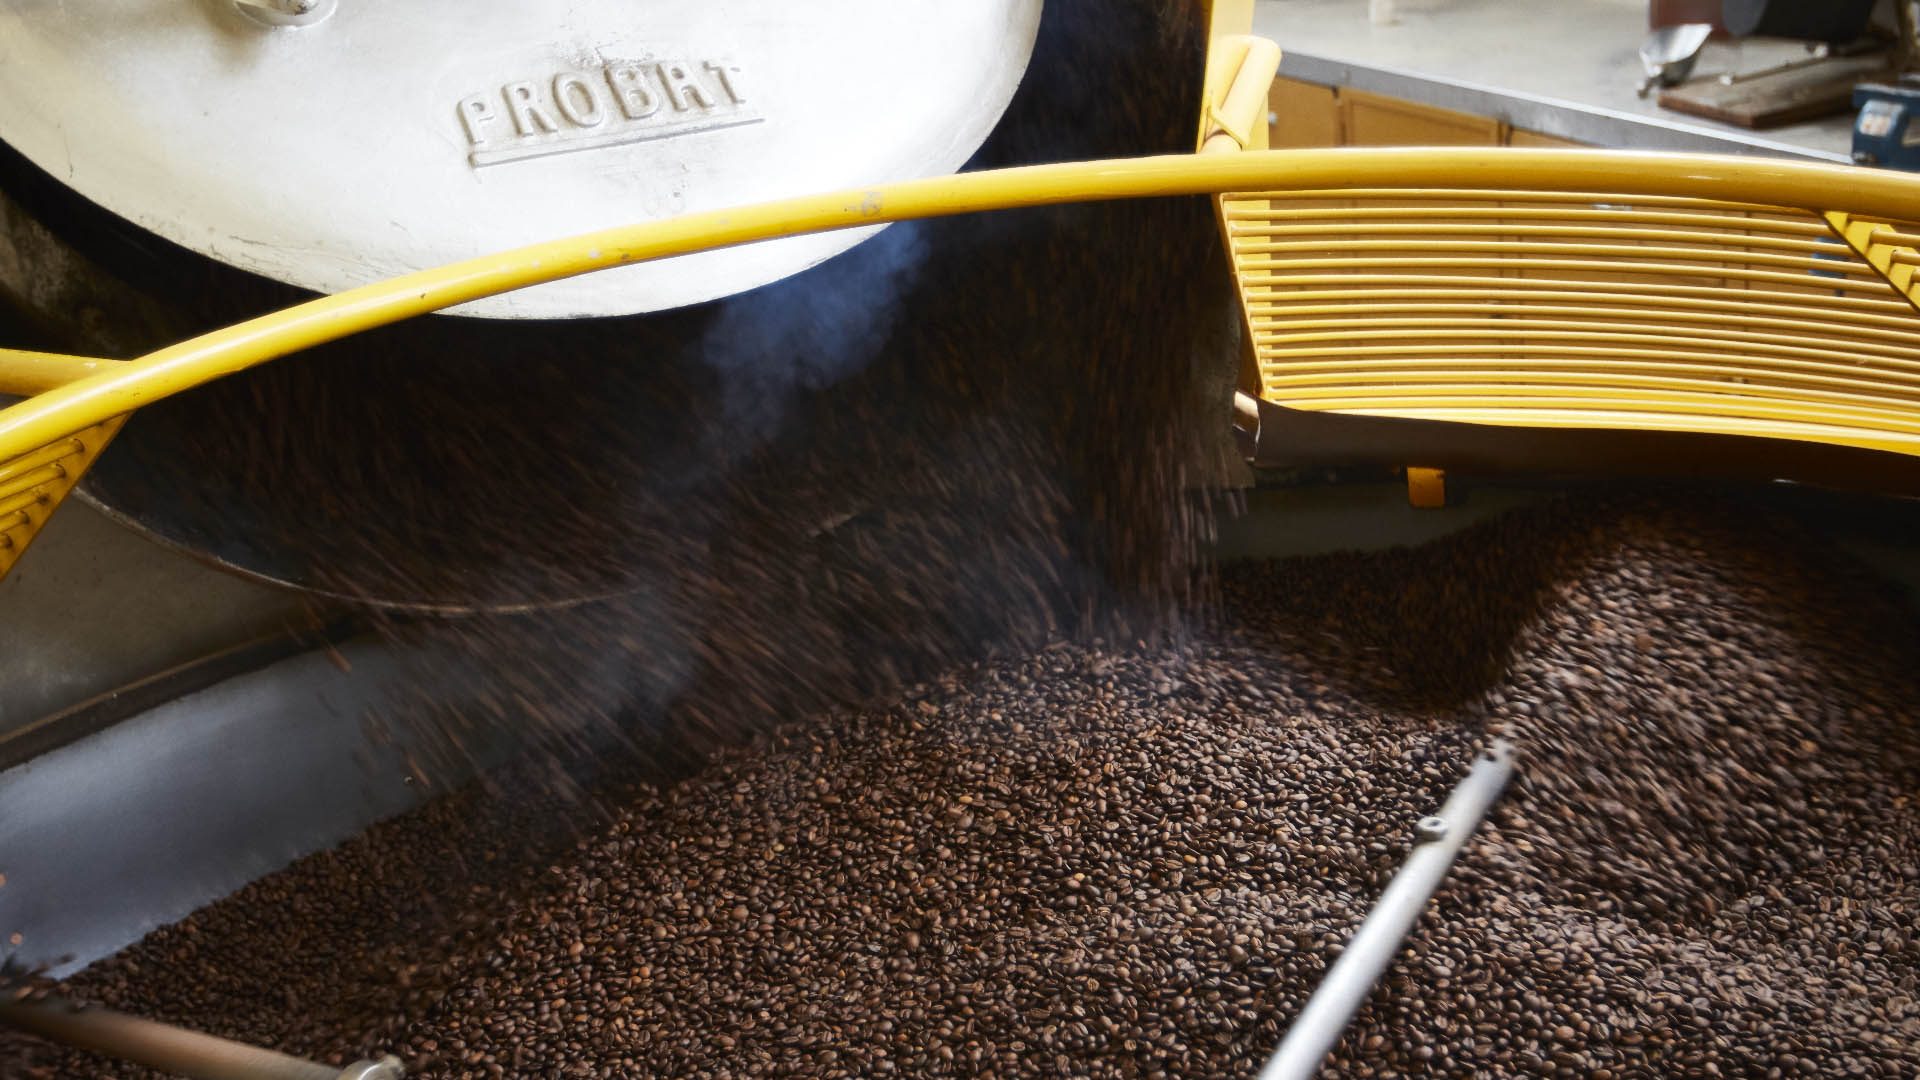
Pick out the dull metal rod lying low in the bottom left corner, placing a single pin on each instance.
(176, 1050)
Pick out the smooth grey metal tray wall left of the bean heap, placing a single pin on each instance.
(168, 810)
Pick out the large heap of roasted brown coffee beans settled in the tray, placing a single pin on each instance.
(1138, 858)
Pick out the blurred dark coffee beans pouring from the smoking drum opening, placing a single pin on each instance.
(963, 435)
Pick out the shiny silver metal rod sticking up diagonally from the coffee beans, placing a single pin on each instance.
(1374, 946)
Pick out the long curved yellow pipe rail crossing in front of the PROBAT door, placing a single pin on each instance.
(70, 408)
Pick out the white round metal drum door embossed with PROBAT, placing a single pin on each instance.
(333, 143)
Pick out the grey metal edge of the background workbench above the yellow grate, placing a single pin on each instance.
(1547, 116)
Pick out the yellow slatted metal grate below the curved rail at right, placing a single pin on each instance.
(1581, 310)
